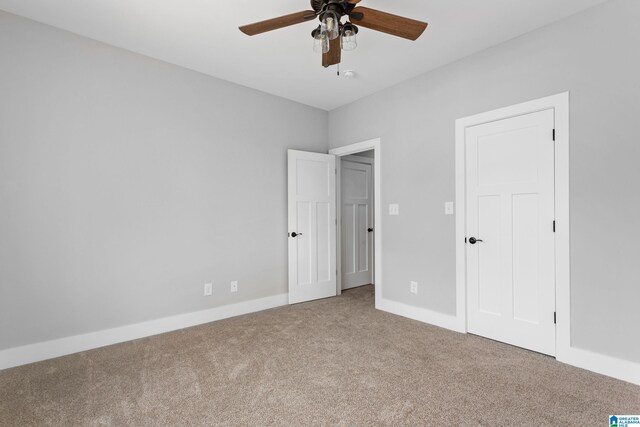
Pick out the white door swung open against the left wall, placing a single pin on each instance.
(312, 226)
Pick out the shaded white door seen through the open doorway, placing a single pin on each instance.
(357, 233)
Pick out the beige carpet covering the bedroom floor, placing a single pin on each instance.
(331, 362)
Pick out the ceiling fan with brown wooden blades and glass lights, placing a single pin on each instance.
(332, 36)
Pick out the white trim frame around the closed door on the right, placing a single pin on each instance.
(560, 105)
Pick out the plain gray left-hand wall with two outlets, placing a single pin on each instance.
(127, 183)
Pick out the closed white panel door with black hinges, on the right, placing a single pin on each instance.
(510, 211)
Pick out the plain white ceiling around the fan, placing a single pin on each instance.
(203, 35)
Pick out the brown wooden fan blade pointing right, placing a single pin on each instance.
(388, 23)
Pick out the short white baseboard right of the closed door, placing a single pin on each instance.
(624, 370)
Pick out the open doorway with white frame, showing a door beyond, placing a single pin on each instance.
(359, 216)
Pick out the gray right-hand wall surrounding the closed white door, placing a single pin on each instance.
(593, 55)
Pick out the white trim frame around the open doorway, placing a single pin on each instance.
(372, 144)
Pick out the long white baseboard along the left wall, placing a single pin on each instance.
(61, 347)
